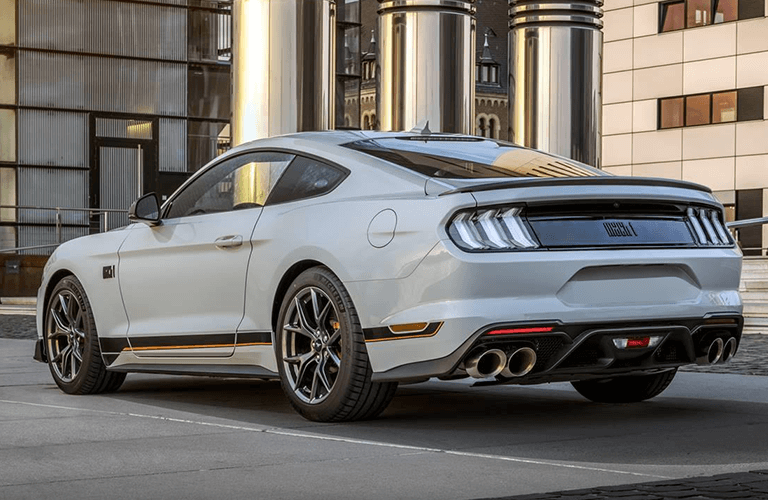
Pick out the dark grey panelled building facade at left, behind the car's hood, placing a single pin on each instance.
(103, 99)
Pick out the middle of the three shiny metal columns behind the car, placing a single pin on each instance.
(426, 56)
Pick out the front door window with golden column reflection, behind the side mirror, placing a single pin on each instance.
(241, 182)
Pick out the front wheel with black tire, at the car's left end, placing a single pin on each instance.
(72, 344)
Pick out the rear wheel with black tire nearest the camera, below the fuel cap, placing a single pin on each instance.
(341, 387)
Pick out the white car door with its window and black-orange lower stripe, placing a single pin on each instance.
(183, 281)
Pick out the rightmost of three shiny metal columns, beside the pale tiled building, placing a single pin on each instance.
(555, 64)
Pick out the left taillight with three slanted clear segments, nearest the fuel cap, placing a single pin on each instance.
(489, 229)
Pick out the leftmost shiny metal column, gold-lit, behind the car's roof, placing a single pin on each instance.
(282, 67)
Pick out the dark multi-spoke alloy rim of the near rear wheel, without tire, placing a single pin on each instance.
(311, 345)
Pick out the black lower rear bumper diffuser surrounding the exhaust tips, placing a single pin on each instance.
(583, 351)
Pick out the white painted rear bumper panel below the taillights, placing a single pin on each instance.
(467, 292)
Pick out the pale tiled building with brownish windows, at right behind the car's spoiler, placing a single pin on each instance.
(684, 97)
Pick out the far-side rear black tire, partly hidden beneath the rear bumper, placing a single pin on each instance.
(628, 389)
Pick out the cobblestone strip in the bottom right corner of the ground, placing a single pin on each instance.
(743, 485)
